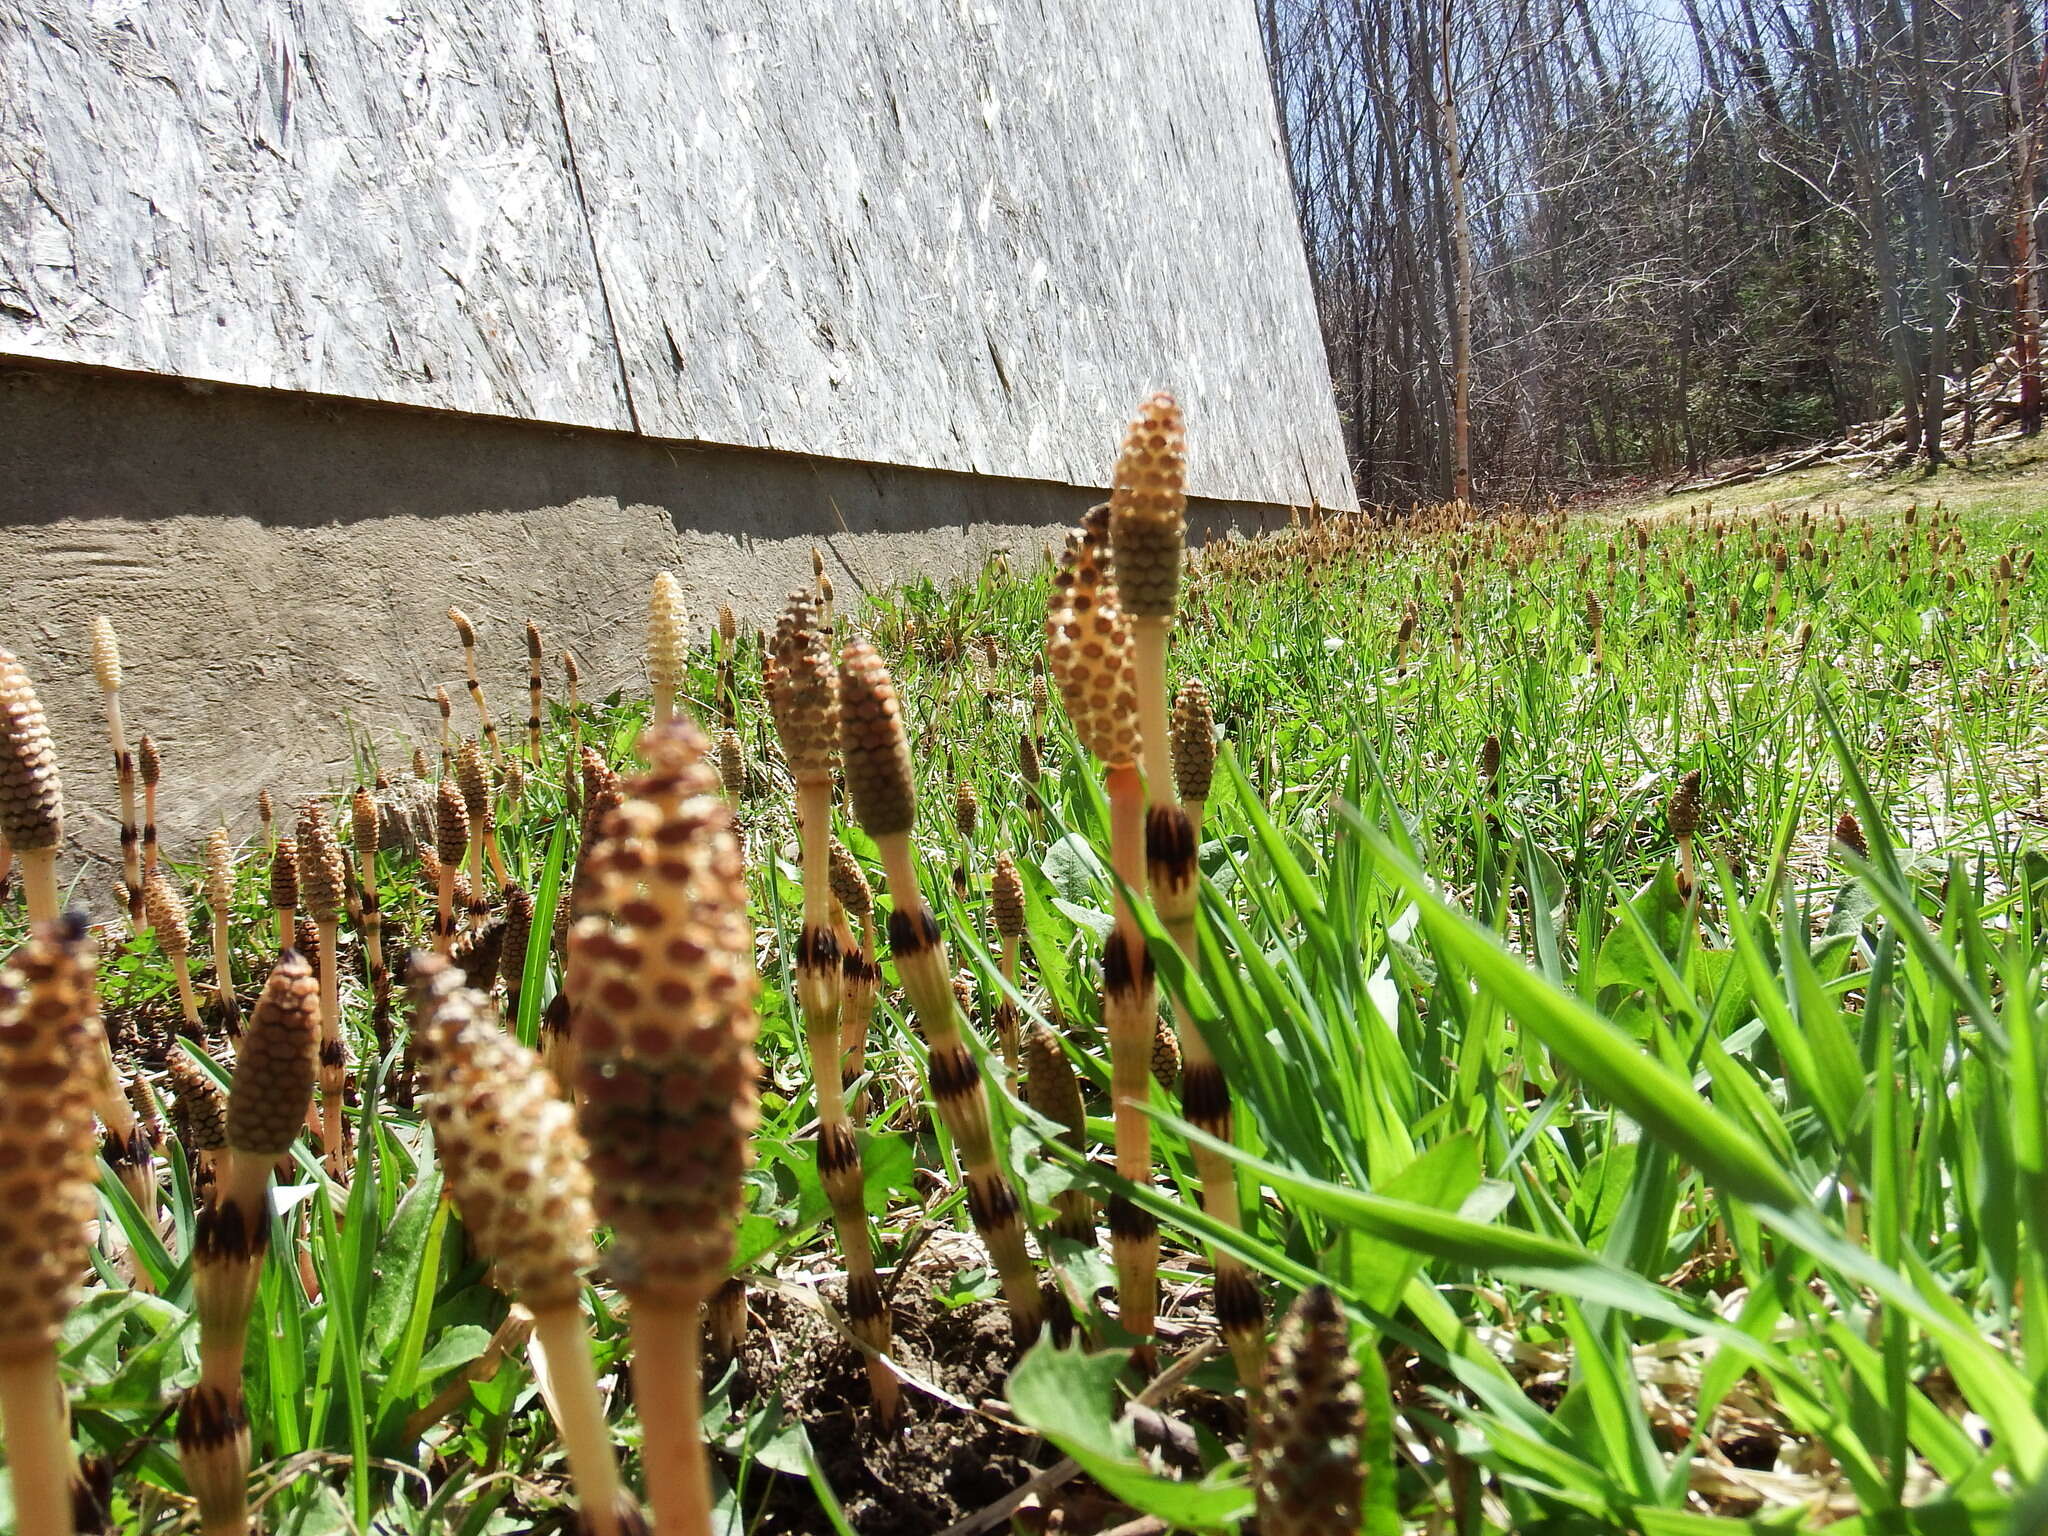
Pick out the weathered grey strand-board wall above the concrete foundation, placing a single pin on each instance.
(957, 234)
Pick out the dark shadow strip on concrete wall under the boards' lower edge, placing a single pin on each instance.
(79, 443)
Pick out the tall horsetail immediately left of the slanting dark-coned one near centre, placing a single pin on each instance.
(806, 708)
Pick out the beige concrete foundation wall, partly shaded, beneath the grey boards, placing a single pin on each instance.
(280, 566)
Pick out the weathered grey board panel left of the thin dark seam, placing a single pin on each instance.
(347, 198)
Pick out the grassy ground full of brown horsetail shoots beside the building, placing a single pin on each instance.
(1533, 1005)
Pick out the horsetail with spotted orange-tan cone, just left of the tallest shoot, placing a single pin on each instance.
(1091, 658)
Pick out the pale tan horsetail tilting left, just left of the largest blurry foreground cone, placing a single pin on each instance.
(515, 1166)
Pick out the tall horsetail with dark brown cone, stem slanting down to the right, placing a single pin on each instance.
(884, 796)
